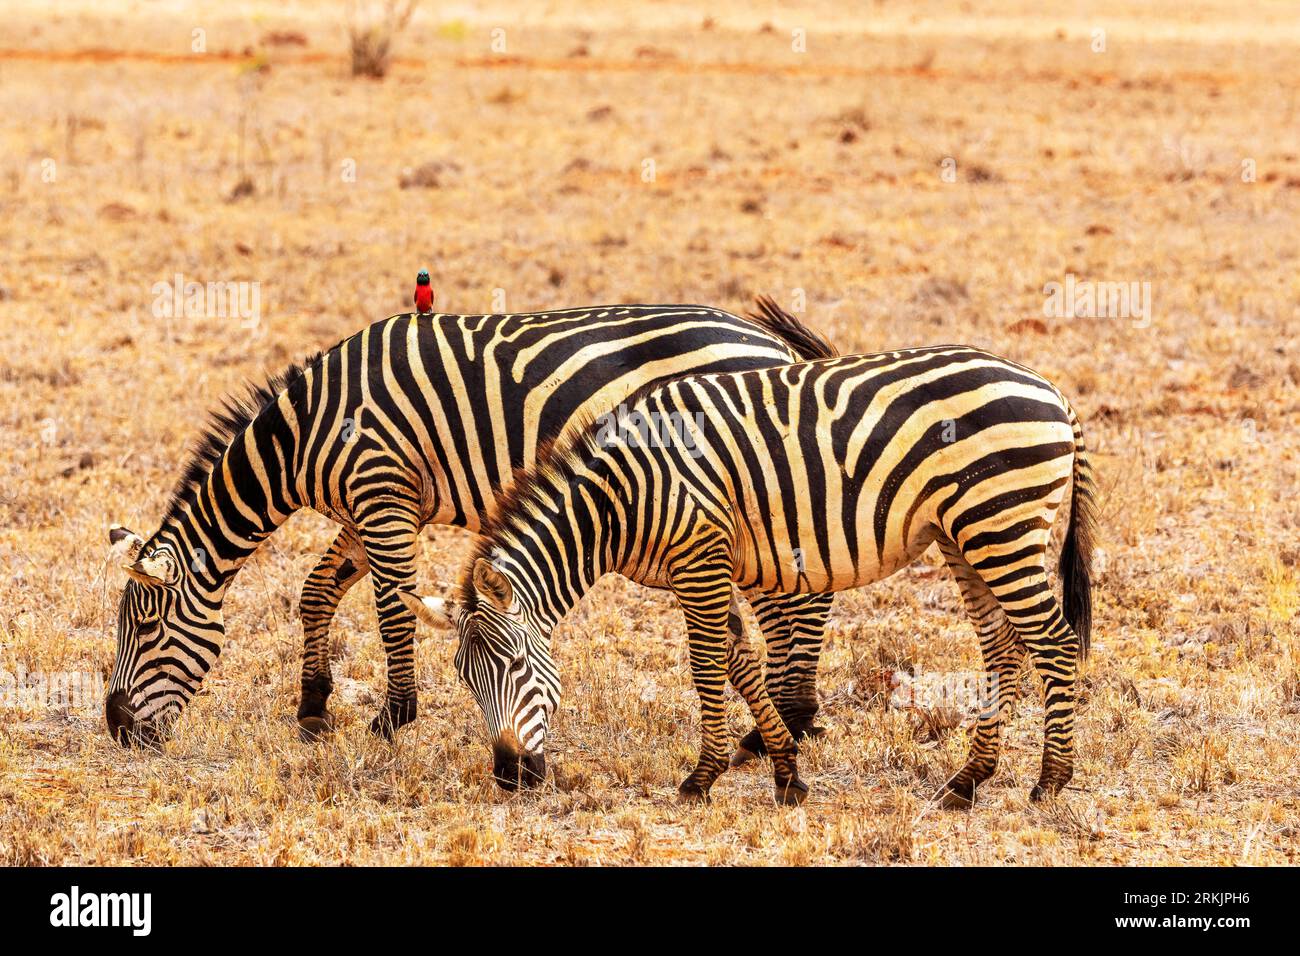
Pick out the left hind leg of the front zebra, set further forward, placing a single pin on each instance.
(1004, 657)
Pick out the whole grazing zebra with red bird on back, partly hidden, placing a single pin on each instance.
(413, 421)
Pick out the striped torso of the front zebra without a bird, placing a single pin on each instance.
(835, 474)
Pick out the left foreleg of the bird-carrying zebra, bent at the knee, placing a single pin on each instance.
(343, 566)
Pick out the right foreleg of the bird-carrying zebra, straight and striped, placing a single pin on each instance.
(389, 530)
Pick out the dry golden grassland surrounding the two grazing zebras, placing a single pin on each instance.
(1172, 158)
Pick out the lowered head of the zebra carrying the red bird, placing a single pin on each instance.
(168, 634)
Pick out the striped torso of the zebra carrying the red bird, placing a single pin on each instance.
(462, 401)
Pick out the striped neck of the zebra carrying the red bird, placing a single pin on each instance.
(237, 504)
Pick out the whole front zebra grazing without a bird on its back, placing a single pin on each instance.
(805, 479)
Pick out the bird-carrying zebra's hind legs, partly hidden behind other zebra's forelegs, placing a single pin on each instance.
(794, 629)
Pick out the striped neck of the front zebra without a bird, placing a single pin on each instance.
(562, 540)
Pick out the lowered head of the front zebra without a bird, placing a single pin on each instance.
(505, 660)
